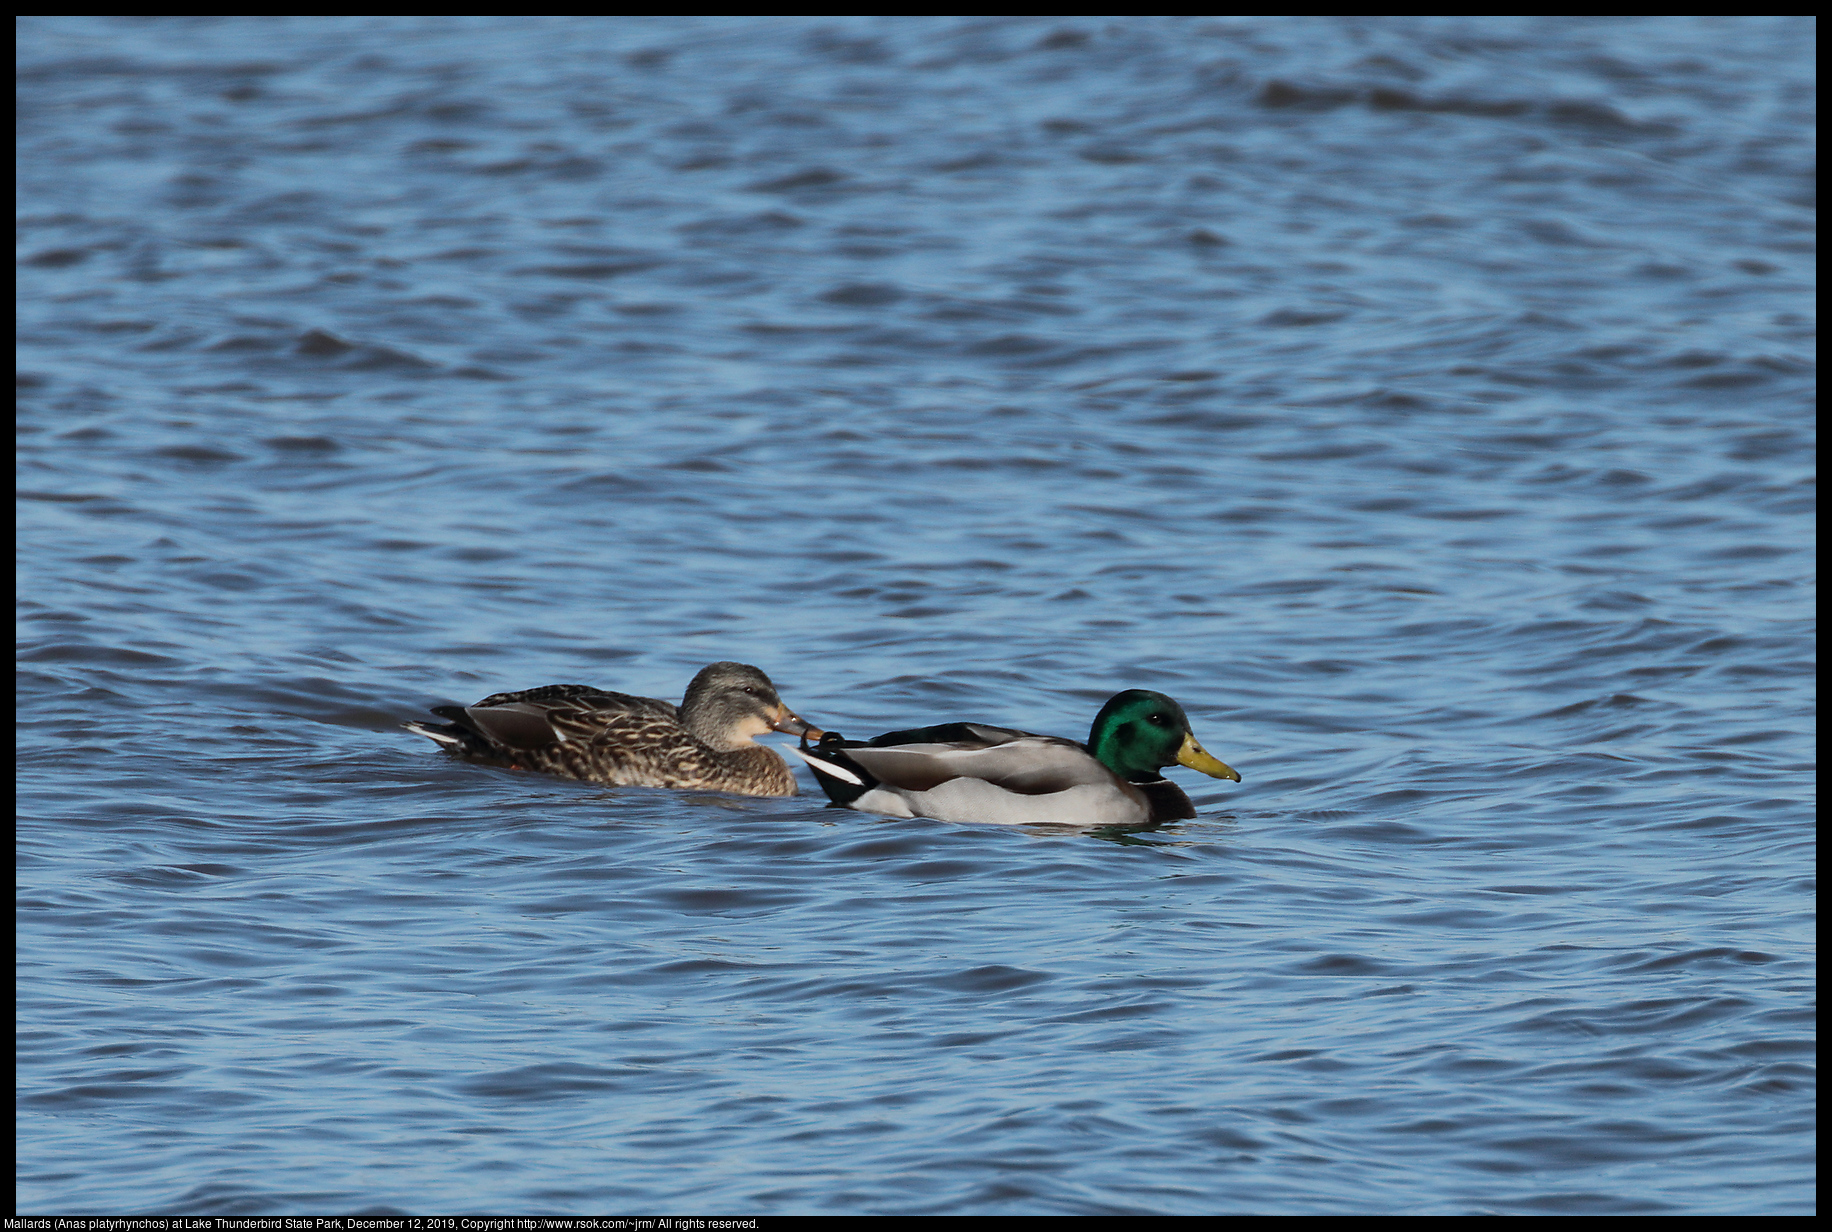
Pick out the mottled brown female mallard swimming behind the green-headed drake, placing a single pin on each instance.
(618, 740)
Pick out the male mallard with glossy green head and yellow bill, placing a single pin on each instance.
(974, 773)
